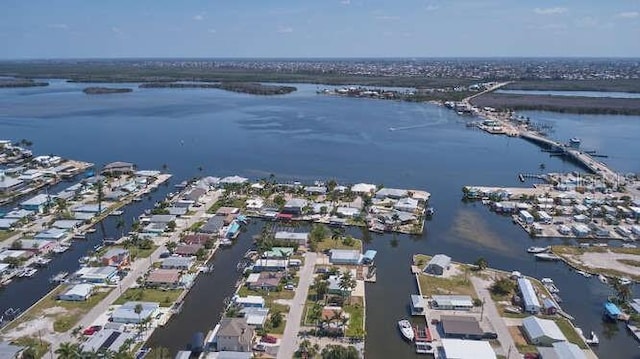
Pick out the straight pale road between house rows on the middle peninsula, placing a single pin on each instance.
(288, 344)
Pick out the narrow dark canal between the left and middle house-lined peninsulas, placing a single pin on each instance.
(204, 304)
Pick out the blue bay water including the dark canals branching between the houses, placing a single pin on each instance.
(305, 136)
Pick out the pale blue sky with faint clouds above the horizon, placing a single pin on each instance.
(320, 28)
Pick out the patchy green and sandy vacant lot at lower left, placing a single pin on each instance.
(66, 319)
